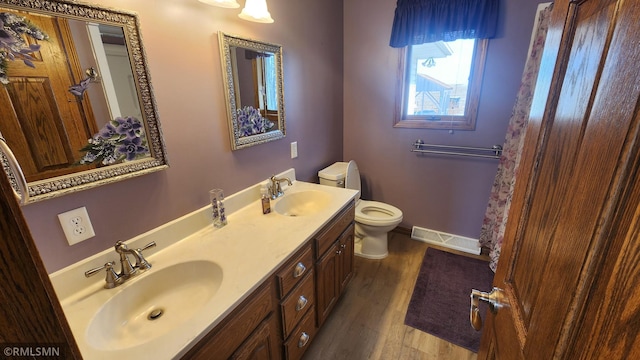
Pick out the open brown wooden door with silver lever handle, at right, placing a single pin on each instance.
(569, 266)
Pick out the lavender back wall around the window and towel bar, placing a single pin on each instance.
(442, 193)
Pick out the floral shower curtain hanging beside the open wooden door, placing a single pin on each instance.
(497, 211)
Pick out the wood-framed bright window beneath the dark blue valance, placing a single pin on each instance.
(439, 84)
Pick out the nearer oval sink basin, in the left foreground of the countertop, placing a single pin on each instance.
(154, 304)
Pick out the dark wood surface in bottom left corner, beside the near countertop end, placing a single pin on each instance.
(30, 314)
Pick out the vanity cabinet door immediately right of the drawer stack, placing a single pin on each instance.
(327, 288)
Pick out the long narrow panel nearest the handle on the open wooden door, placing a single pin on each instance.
(561, 150)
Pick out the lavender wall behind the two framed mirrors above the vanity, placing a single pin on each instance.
(180, 38)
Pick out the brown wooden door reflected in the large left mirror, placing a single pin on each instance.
(44, 124)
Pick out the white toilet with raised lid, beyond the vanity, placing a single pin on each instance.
(373, 219)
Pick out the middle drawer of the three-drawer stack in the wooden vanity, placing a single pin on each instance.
(296, 304)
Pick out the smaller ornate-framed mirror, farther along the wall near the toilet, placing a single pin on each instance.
(252, 74)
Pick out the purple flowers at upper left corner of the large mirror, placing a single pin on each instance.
(12, 43)
